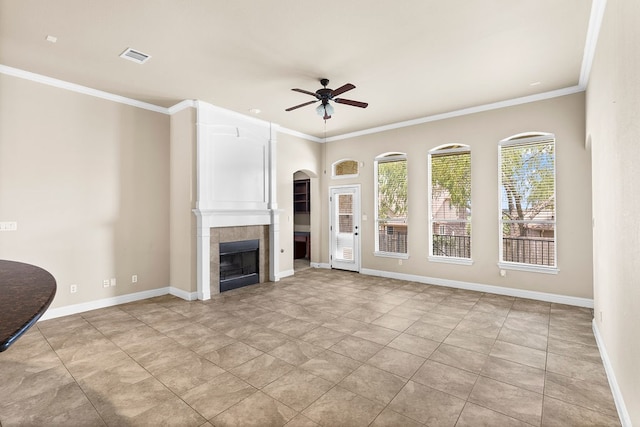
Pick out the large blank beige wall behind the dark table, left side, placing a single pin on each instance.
(86, 179)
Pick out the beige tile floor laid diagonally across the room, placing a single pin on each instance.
(322, 347)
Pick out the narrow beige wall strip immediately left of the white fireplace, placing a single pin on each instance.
(183, 200)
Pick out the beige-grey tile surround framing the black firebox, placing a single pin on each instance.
(235, 234)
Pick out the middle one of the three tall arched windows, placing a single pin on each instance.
(450, 203)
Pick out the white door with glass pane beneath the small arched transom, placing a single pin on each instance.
(345, 227)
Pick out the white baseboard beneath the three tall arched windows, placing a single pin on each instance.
(520, 293)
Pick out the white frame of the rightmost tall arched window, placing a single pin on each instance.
(528, 138)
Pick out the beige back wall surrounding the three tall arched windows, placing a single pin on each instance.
(562, 116)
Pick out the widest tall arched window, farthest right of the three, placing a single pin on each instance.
(527, 185)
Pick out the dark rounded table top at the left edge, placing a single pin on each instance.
(25, 294)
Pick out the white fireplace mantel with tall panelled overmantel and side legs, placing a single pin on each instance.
(236, 181)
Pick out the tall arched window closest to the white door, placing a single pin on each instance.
(391, 205)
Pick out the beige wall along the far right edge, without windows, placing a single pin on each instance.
(613, 128)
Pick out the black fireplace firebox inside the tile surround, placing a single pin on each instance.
(239, 264)
